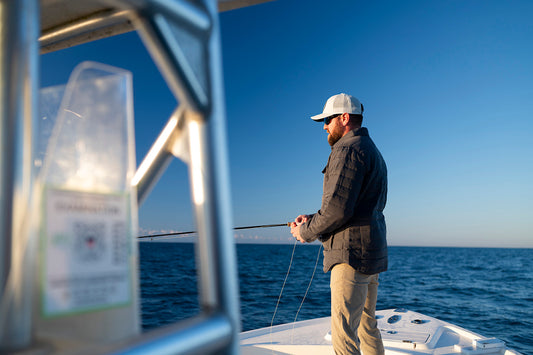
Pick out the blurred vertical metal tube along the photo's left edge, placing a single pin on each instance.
(19, 29)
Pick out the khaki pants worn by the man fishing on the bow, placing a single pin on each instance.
(353, 310)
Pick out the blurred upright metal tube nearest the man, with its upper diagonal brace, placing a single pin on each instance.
(205, 120)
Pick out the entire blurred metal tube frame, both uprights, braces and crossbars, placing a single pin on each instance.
(204, 120)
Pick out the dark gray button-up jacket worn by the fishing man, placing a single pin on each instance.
(350, 222)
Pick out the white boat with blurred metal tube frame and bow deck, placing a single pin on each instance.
(200, 120)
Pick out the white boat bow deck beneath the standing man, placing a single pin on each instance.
(403, 332)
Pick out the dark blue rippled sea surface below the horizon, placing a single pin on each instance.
(488, 291)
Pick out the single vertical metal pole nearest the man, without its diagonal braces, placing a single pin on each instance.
(215, 243)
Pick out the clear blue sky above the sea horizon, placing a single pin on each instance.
(448, 93)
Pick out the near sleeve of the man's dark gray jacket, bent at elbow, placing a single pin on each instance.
(343, 179)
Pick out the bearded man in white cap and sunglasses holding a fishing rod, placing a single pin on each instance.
(351, 226)
